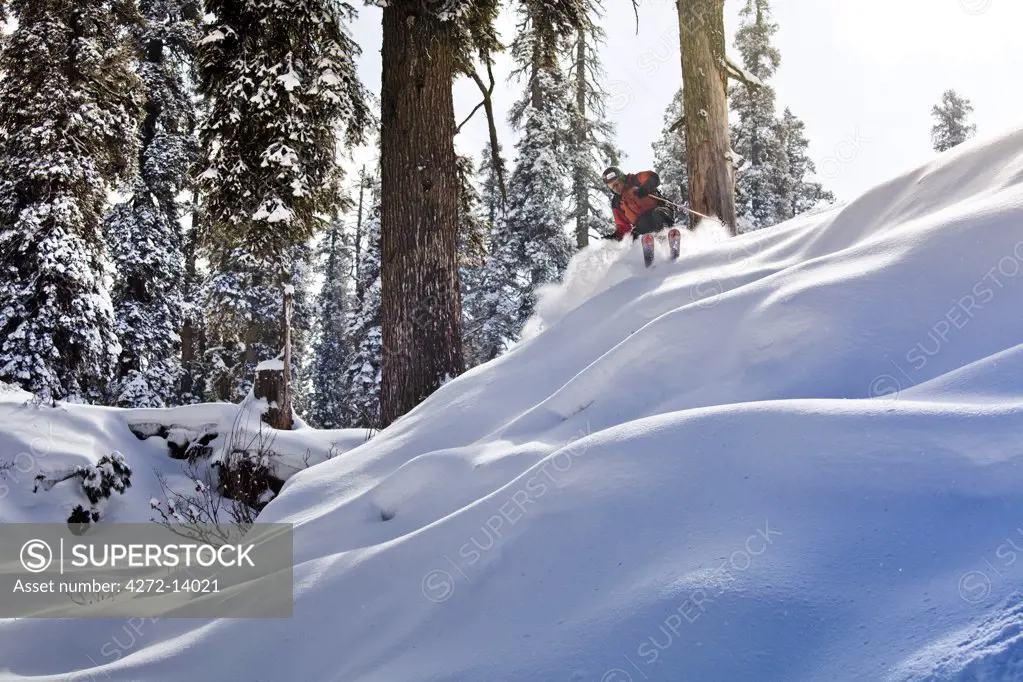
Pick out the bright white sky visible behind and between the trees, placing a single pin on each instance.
(862, 74)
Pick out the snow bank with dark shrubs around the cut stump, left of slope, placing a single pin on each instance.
(42, 440)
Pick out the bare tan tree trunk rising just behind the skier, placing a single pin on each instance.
(705, 96)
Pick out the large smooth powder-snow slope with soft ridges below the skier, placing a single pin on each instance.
(789, 457)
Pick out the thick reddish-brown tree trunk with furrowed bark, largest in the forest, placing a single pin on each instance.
(421, 304)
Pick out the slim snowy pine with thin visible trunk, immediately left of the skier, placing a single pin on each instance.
(591, 145)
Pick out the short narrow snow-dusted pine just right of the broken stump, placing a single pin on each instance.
(332, 354)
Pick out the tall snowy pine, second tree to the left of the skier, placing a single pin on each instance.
(538, 206)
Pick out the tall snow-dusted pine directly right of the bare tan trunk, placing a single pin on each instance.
(763, 192)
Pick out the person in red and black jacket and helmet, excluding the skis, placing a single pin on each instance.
(635, 205)
